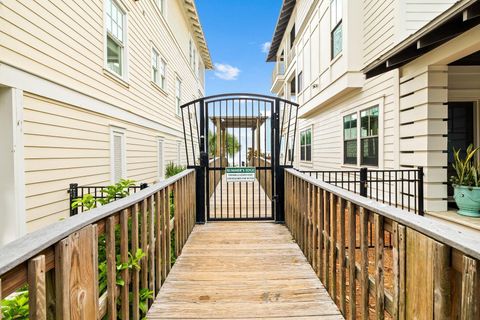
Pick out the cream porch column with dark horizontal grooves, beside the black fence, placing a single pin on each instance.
(423, 131)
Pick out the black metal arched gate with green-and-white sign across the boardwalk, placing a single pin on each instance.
(239, 144)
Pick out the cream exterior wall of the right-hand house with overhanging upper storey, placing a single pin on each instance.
(336, 87)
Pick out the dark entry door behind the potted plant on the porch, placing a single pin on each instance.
(460, 133)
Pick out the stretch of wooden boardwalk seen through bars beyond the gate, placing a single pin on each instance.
(240, 200)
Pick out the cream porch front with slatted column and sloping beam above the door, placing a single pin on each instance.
(428, 84)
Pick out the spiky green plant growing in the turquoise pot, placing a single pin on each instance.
(467, 169)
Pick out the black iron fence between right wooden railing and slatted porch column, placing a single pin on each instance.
(401, 188)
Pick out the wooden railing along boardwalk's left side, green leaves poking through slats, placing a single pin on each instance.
(60, 263)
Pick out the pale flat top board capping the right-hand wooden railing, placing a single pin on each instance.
(464, 242)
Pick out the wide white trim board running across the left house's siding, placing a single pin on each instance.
(20, 79)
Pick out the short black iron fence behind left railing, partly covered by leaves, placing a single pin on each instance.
(75, 192)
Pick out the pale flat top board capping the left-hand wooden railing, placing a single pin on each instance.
(26, 247)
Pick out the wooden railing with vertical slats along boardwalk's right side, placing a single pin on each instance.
(429, 272)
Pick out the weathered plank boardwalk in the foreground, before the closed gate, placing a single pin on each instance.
(242, 270)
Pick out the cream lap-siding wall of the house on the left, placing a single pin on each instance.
(53, 53)
